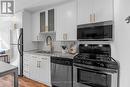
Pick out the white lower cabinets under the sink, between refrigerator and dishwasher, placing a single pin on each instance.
(37, 68)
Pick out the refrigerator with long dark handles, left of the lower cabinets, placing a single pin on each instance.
(16, 44)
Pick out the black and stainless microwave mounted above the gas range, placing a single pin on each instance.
(101, 31)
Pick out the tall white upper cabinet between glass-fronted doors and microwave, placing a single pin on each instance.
(66, 21)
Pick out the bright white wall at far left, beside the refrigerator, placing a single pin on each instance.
(5, 26)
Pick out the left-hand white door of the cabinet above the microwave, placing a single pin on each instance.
(85, 8)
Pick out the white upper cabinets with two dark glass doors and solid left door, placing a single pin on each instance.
(42, 21)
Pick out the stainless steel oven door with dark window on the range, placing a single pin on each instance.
(87, 77)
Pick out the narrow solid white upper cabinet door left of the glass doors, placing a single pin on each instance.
(35, 26)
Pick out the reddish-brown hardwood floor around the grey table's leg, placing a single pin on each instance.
(7, 81)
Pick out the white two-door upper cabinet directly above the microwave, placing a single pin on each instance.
(91, 11)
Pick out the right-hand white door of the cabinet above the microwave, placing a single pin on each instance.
(103, 10)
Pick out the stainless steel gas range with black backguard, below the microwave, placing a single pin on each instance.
(94, 67)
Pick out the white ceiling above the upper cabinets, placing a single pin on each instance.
(33, 5)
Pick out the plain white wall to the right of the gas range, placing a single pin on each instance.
(122, 40)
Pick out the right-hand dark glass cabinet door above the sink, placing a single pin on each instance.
(51, 20)
